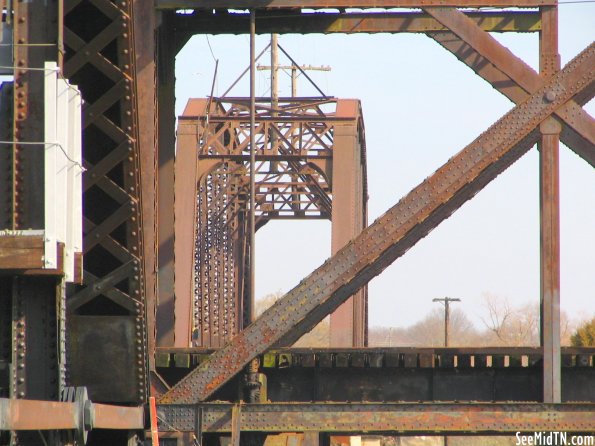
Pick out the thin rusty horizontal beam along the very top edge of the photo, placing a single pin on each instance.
(325, 4)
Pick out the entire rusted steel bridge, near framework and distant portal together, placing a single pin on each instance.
(141, 329)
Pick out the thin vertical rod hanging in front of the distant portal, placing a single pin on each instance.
(251, 297)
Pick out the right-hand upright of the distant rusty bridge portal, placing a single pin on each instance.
(347, 326)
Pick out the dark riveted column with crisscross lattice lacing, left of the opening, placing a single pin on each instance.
(100, 57)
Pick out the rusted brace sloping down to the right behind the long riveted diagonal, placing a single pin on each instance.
(511, 76)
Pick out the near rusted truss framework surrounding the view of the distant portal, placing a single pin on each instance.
(121, 54)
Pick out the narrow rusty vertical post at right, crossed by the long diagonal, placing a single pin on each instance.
(550, 217)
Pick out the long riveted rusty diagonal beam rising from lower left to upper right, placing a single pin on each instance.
(391, 235)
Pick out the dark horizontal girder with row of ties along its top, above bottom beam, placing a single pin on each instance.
(401, 374)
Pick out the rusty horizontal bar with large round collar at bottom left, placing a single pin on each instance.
(18, 414)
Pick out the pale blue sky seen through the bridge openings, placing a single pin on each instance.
(420, 107)
